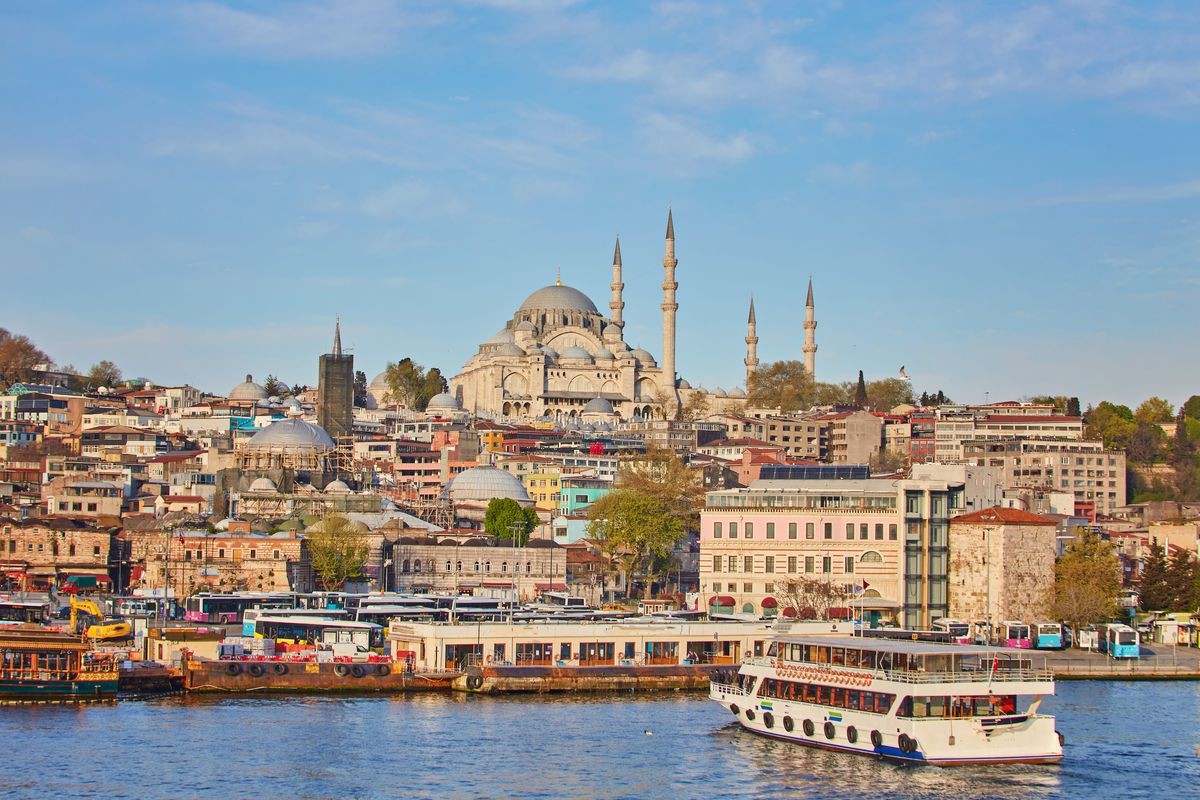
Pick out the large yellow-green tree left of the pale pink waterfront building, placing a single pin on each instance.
(638, 530)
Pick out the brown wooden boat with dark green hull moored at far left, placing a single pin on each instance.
(46, 665)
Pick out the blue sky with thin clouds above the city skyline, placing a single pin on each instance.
(1000, 197)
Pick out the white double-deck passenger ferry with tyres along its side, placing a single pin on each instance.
(909, 702)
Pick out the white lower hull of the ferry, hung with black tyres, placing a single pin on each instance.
(959, 743)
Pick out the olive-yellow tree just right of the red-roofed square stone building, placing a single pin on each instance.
(1087, 582)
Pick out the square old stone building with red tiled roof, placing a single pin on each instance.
(1001, 566)
